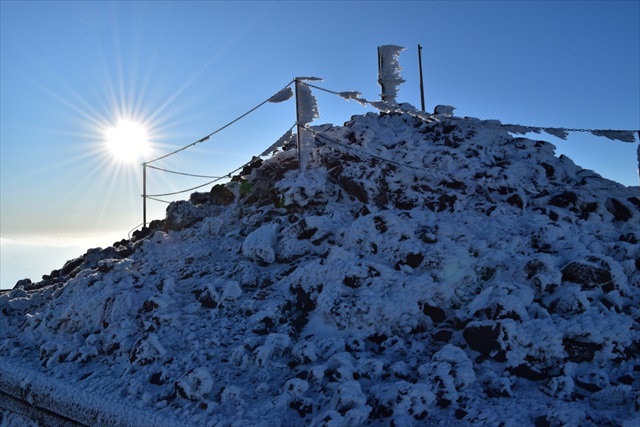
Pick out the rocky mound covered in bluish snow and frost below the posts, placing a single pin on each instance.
(419, 272)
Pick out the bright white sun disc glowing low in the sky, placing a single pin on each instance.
(128, 141)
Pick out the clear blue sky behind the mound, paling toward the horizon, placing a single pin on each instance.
(71, 71)
